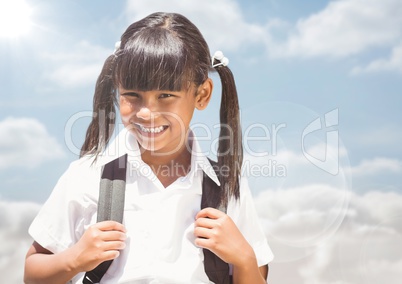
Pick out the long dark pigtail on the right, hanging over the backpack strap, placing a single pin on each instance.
(230, 150)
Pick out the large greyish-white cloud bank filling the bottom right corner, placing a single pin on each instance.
(304, 228)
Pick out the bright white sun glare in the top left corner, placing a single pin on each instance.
(15, 18)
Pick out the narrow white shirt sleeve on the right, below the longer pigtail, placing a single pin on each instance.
(245, 216)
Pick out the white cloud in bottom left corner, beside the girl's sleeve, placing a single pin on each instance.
(14, 238)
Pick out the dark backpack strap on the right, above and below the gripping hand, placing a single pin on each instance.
(216, 269)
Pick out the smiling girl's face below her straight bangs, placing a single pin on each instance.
(159, 119)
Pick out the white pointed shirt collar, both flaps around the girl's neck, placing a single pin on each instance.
(125, 143)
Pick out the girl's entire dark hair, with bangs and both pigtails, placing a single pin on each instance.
(165, 51)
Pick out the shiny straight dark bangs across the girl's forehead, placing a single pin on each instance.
(154, 60)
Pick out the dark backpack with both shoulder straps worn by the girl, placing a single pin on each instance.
(111, 207)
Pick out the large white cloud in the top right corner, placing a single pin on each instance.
(344, 28)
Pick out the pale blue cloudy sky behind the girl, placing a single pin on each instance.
(319, 85)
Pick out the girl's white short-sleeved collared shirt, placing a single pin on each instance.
(159, 221)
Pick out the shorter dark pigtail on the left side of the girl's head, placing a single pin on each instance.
(104, 117)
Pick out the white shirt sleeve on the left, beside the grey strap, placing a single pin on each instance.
(69, 210)
